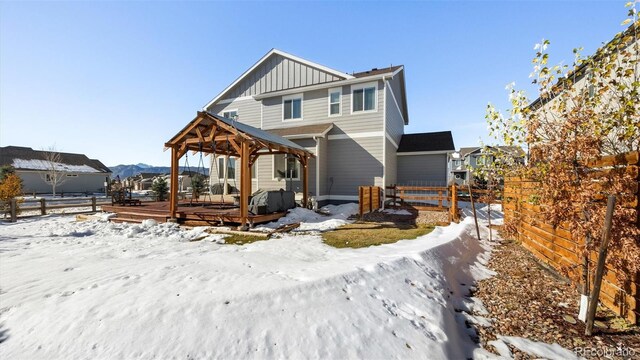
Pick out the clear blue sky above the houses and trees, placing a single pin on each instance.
(115, 80)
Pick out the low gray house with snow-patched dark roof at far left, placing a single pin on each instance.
(81, 174)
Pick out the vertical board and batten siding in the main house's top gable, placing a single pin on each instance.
(279, 73)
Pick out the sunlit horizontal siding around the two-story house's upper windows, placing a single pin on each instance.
(315, 110)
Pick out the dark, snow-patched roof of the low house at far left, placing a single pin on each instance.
(25, 158)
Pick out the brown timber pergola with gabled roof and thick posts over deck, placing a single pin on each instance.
(213, 134)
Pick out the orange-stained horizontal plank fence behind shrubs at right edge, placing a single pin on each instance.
(557, 247)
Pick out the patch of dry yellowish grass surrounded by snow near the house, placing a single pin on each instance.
(363, 234)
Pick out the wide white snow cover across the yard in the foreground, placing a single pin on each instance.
(100, 290)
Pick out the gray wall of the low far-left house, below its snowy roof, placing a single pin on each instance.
(84, 182)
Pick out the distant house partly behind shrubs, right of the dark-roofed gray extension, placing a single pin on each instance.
(464, 162)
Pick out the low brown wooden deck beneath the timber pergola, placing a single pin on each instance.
(201, 214)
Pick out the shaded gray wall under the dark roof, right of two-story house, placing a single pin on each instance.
(422, 169)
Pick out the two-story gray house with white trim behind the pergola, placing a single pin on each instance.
(353, 123)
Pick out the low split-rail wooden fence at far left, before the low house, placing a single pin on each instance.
(43, 205)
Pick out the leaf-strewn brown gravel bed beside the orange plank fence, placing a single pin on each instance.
(527, 300)
